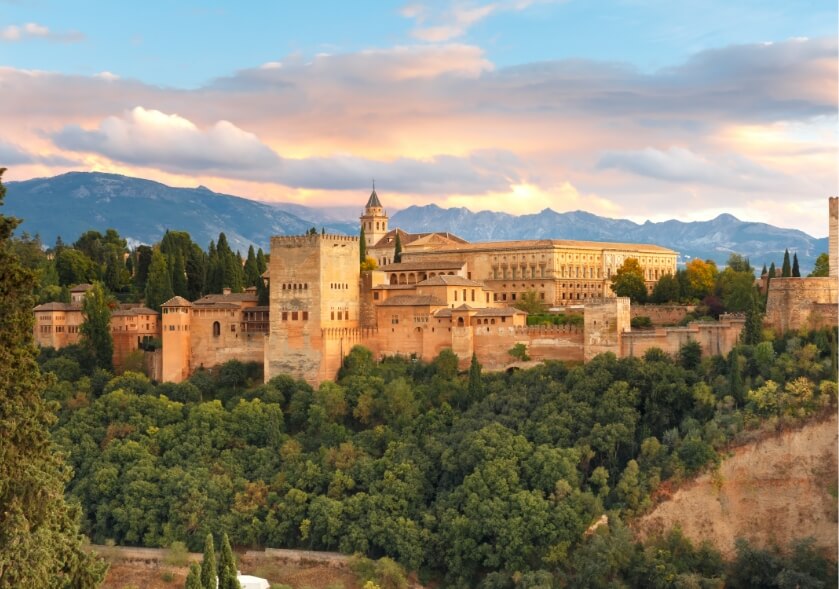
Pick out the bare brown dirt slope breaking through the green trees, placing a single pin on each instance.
(774, 490)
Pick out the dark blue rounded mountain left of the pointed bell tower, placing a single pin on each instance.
(142, 210)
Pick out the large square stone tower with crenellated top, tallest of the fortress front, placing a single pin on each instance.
(313, 293)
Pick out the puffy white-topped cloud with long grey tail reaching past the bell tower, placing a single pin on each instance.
(147, 137)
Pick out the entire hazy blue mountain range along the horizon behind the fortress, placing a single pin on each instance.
(141, 210)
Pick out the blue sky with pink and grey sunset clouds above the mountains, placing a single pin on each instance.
(639, 109)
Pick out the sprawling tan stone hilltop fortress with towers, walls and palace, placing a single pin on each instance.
(439, 292)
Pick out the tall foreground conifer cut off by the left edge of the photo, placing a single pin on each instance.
(40, 542)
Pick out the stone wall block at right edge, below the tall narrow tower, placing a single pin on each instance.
(791, 301)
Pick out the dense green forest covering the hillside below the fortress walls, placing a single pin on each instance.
(471, 479)
